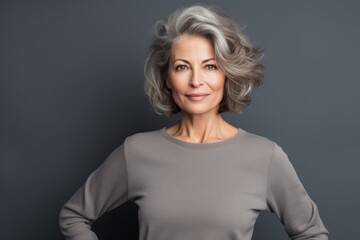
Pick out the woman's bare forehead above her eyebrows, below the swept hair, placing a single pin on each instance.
(192, 45)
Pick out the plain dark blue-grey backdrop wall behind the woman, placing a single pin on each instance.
(71, 90)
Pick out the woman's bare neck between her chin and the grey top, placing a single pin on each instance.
(202, 128)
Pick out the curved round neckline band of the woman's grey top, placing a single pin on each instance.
(201, 145)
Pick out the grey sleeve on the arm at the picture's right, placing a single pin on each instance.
(288, 199)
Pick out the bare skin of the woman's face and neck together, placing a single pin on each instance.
(197, 85)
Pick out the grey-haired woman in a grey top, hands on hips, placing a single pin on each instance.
(201, 178)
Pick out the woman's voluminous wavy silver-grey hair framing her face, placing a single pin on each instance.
(234, 54)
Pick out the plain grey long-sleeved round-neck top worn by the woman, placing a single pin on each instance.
(188, 191)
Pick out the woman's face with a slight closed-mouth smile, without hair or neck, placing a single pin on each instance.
(196, 81)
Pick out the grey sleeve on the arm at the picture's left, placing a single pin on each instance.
(105, 189)
